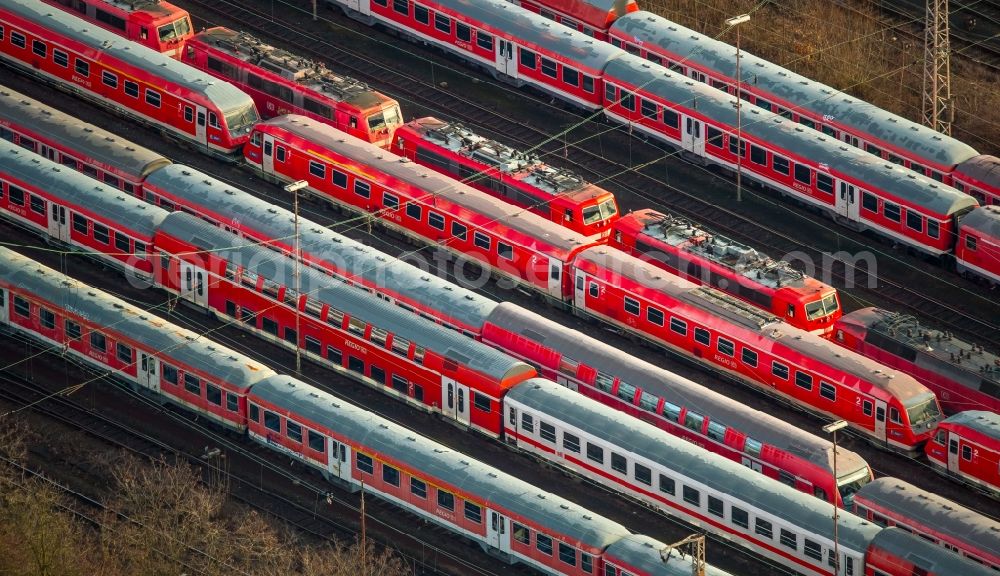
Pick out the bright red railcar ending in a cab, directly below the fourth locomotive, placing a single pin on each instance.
(889, 407)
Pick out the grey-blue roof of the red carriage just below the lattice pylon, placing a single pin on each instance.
(799, 91)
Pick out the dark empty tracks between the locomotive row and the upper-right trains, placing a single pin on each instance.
(976, 317)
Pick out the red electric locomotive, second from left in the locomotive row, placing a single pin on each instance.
(283, 83)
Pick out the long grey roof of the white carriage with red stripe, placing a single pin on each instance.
(715, 472)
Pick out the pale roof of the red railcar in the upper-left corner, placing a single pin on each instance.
(226, 96)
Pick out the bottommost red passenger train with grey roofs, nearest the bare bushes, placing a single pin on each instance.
(348, 445)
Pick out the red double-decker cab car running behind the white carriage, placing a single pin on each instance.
(677, 405)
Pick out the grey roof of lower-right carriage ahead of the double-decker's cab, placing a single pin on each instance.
(935, 512)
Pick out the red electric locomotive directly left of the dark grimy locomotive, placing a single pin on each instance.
(683, 248)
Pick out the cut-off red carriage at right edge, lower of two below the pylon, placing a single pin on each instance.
(977, 252)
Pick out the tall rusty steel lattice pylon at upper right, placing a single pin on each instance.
(937, 109)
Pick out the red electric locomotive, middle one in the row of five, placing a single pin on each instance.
(503, 172)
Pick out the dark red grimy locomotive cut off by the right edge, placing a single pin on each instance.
(963, 375)
